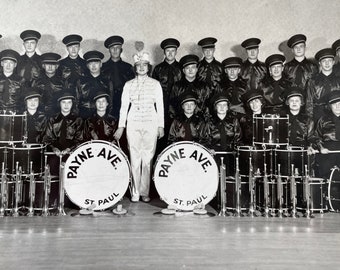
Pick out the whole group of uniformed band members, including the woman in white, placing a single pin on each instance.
(72, 100)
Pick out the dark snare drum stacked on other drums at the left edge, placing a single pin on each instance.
(13, 127)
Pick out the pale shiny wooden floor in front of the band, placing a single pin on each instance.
(145, 239)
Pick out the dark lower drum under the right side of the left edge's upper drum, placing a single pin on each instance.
(26, 155)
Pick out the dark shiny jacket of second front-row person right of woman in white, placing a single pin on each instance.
(211, 135)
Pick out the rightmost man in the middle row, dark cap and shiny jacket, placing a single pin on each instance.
(320, 85)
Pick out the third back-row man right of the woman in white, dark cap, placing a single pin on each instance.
(253, 70)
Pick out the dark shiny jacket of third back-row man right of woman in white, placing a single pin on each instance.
(253, 74)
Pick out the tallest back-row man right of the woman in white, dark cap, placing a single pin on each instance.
(300, 69)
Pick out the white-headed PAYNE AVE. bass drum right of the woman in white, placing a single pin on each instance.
(186, 175)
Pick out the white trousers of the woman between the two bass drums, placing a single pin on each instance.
(142, 142)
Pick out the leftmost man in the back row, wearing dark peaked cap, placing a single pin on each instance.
(29, 64)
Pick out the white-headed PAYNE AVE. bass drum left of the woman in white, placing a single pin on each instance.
(97, 172)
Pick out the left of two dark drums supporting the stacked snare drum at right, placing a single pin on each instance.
(259, 157)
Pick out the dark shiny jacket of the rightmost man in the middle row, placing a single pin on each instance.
(317, 89)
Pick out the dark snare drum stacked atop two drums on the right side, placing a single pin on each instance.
(270, 130)
